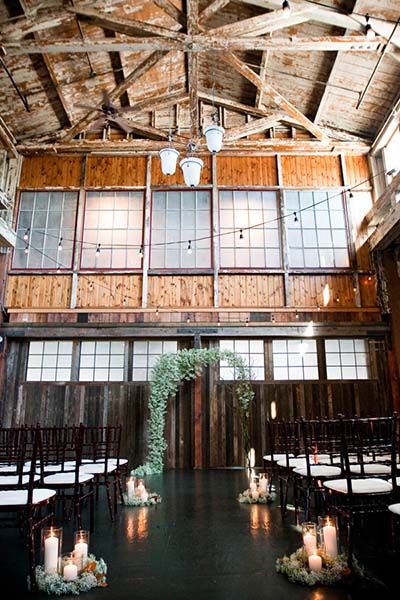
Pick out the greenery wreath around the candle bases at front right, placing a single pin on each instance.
(295, 567)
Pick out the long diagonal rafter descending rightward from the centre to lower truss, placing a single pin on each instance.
(277, 98)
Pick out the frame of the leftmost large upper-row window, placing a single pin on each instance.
(56, 268)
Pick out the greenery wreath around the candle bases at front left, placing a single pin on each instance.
(93, 575)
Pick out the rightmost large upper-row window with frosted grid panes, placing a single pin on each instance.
(318, 239)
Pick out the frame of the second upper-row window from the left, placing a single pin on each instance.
(81, 241)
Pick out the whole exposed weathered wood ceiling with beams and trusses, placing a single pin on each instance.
(277, 82)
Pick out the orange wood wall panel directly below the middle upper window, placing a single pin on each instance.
(180, 291)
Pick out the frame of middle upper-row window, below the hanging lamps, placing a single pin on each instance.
(182, 270)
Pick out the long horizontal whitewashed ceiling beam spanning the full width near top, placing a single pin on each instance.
(199, 43)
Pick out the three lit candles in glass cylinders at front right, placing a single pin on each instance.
(324, 545)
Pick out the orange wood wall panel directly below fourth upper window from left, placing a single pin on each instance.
(240, 291)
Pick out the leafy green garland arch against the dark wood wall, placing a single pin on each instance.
(169, 371)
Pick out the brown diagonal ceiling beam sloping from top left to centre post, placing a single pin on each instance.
(125, 26)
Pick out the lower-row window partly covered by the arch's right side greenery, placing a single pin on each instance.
(252, 351)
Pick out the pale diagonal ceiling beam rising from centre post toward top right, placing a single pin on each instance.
(265, 23)
